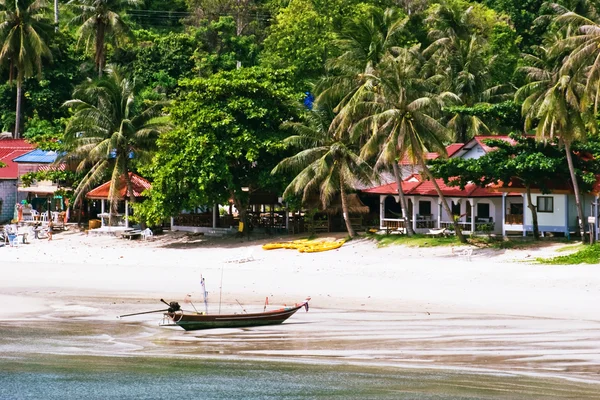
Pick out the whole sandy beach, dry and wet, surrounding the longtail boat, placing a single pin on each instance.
(396, 307)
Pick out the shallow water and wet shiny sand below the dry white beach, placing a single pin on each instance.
(79, 358)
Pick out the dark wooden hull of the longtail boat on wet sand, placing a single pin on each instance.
(191, 321)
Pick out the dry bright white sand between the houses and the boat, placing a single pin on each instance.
(357, 276)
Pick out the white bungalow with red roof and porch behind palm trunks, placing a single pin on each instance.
(494, 209)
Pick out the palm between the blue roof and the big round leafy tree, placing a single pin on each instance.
(109, 130)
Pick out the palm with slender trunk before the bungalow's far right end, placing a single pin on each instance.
(553, 102)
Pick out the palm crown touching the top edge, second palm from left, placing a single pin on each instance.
(99, 22)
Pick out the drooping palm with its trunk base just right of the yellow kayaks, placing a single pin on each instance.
(326, 164)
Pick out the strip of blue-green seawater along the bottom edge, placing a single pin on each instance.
(68, 377)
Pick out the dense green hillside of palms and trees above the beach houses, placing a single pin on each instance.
(205, 97)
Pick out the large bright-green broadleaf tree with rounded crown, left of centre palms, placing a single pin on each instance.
(227, 137)
